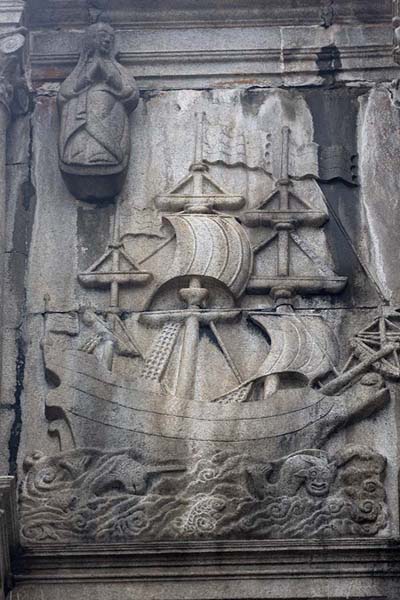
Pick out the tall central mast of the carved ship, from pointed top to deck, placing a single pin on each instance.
(198, 197)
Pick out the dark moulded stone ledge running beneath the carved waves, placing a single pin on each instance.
(275, 570)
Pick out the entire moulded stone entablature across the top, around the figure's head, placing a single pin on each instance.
(196, 43)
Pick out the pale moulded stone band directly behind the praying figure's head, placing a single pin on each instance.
(266, 55)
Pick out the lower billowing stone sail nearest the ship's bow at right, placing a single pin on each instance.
(303, 344)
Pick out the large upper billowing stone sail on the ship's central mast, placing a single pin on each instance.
(212, 246)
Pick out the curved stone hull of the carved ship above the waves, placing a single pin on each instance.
(121, 409)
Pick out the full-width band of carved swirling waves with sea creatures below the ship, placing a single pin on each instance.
(88, 495)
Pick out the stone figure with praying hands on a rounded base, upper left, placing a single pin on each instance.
(95, 102)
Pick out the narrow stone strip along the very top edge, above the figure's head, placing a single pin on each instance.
(200, 13)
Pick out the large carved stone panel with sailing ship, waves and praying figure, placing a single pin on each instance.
(198, 385)
